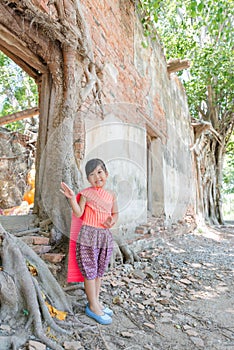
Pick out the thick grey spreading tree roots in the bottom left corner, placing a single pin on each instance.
(23, 293)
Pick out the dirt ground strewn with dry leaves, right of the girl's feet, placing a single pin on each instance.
(180, 295)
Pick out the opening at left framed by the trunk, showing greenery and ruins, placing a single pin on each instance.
(19, 120)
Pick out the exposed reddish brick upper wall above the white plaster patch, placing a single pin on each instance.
(127, 83)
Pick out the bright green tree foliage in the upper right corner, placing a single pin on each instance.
(201, 31)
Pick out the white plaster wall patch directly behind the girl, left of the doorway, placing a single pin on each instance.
(123, 148)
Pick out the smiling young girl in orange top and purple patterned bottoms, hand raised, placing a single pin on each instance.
(98, 209)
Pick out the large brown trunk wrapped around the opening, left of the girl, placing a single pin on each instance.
(53, 45)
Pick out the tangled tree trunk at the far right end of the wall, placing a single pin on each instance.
(211, 137)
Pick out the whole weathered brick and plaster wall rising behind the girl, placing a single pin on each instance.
(137, 91)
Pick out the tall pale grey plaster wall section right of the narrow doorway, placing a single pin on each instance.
(179, 187)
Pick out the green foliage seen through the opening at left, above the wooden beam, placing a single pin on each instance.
(18, 90)
